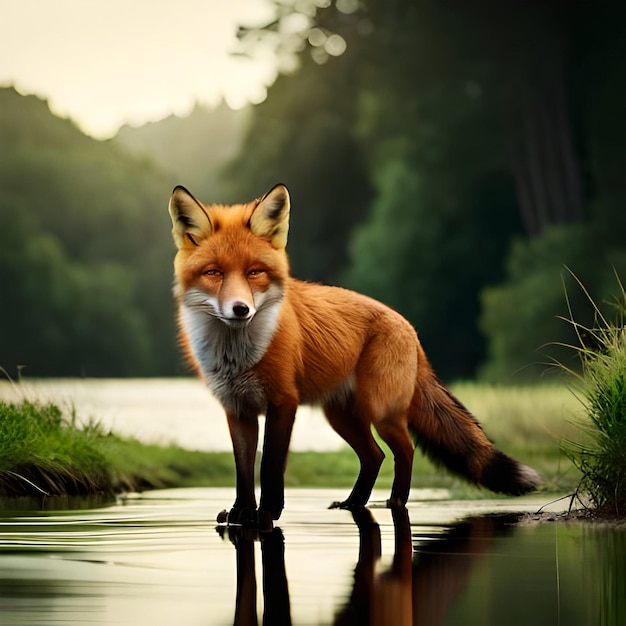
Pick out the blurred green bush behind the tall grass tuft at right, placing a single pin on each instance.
(521, 316)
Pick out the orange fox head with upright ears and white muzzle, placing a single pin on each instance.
(231, 260)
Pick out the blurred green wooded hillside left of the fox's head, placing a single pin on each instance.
(85, 251)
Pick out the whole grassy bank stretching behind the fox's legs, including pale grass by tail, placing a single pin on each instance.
(46, 451)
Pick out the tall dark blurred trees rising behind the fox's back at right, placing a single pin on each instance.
(461, 153)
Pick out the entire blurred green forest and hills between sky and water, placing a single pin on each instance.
(448, 158)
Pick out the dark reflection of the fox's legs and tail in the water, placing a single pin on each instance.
(417, 589)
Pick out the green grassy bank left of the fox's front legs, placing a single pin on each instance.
(44, 452)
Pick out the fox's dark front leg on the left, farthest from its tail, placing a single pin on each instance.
(244, 434)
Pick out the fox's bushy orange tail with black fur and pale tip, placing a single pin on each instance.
(450, 436)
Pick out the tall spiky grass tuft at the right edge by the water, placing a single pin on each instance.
(601, 455)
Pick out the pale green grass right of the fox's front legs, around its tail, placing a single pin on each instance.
(527, 422)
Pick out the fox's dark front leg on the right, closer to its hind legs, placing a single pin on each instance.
(278, 426)
